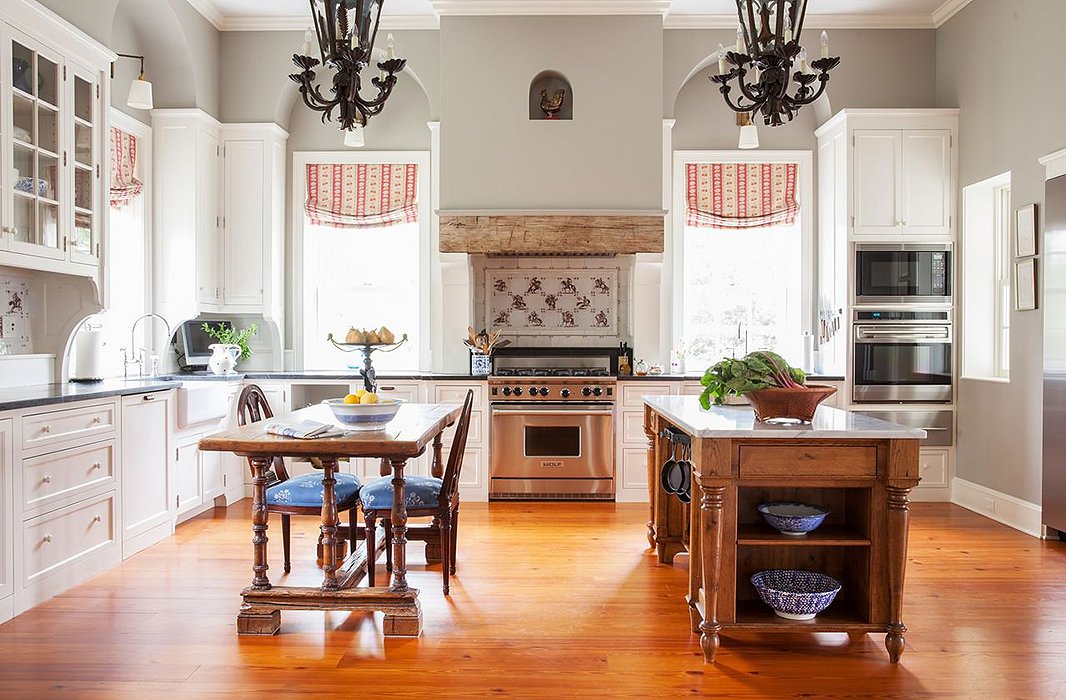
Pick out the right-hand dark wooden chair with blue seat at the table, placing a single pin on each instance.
(427, 497)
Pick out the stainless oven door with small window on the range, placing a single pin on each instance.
(552, 452)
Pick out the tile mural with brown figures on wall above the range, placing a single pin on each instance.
(561, 301)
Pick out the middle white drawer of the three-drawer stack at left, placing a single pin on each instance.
(55, 477)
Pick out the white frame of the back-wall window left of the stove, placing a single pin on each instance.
(298, 267)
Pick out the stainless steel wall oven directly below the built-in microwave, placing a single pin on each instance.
(902, 357)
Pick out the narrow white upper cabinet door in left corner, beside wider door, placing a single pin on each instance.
(209, 222)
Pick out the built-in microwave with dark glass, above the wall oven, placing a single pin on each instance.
(903, 273)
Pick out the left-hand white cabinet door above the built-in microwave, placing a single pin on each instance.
(876, 203)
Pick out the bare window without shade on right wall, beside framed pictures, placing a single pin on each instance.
(987, 273)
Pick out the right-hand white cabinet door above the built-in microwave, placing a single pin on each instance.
(927, 183)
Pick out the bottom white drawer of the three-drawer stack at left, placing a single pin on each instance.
(68, 535)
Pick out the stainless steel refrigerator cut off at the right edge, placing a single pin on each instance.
(1054, 274)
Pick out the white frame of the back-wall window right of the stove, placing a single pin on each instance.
(673, 310)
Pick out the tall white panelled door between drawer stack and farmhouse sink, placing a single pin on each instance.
(146, 450)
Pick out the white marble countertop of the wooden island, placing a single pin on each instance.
(739, 422)
